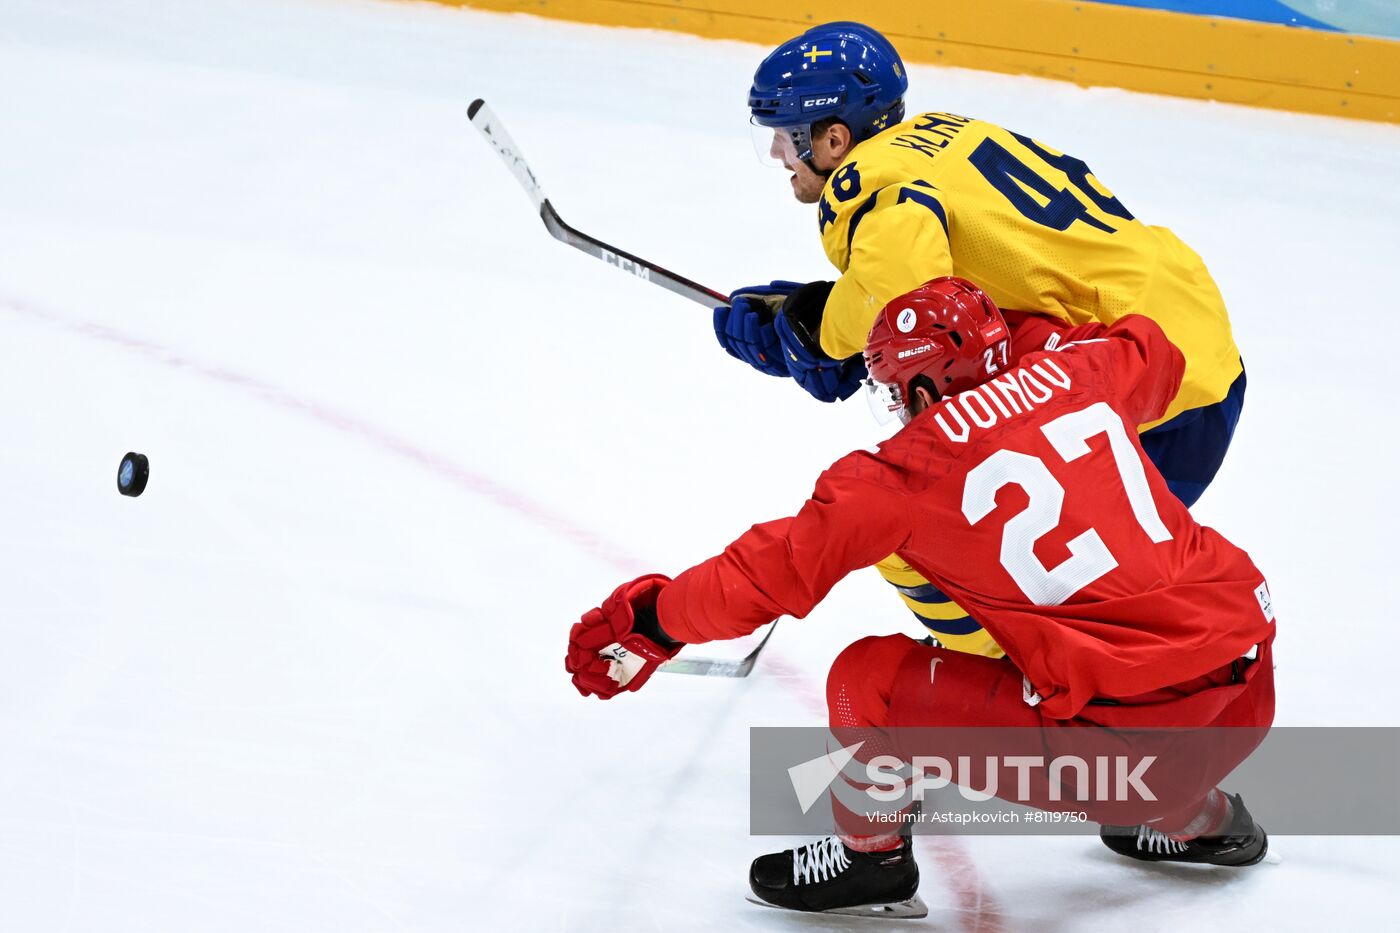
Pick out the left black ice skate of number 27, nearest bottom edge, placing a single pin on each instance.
(829, 878)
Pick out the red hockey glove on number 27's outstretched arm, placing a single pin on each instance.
(618, 647)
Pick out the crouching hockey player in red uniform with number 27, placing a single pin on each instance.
(1018, 488)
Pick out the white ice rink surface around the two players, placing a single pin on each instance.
(400, 441)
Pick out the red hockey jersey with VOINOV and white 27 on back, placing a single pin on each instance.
(1031, 504)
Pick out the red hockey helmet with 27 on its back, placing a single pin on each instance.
(946, 330)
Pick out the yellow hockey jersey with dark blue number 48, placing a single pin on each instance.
(948, 195)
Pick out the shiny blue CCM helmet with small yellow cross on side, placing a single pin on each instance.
(841, 69)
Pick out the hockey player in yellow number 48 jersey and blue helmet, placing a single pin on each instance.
(901, 202)
